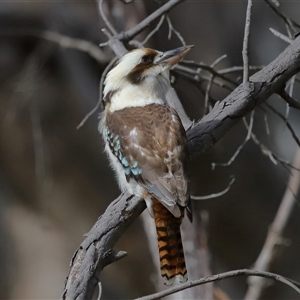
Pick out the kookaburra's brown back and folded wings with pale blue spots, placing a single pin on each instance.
(150, 143)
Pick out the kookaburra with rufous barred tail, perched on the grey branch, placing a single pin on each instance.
(147, 147)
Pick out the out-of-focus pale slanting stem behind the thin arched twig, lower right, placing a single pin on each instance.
(275, 231)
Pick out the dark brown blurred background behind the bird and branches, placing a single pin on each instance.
(55, 180)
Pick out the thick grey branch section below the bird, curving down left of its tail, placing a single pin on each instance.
(96, 251)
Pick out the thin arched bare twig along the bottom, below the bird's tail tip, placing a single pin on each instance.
(221, 276)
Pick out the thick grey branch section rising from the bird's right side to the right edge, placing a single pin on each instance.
(244, 99)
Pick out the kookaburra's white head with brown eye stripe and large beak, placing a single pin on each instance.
(143, 67)
